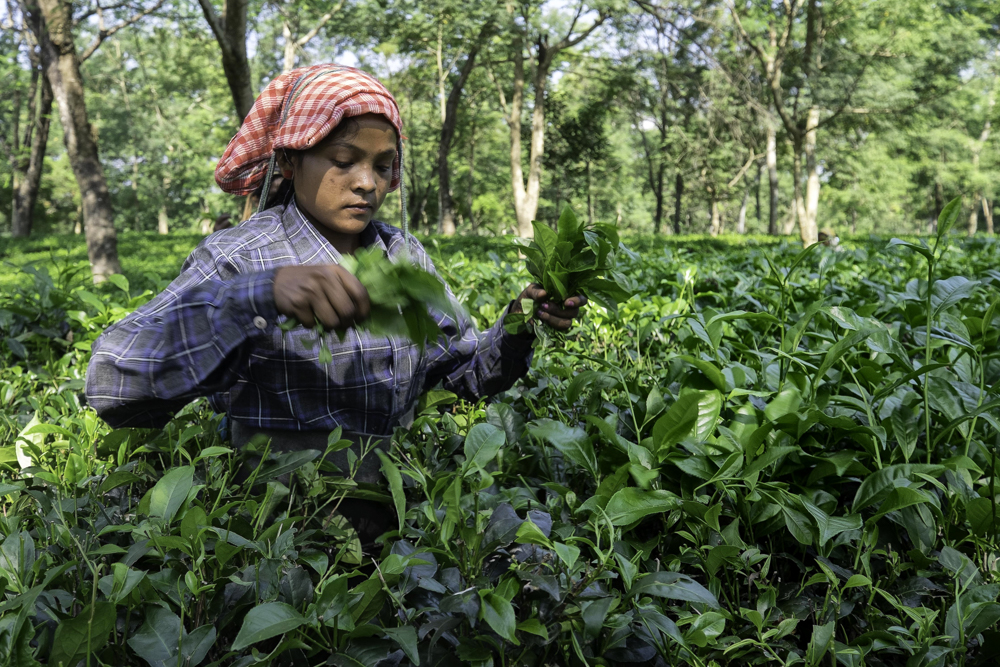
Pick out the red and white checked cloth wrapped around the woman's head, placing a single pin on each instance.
(297, 110)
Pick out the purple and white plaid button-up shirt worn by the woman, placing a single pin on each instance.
(214, 332)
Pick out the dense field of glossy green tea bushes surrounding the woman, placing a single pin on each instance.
(767, 456)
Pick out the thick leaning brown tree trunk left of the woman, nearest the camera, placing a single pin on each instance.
(53, 28)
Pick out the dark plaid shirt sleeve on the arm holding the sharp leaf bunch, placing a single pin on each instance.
(471, 363)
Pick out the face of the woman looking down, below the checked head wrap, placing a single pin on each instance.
(342, 181)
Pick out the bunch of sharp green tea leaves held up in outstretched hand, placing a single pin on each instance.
(576, 258)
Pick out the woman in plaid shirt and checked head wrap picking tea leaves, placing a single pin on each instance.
(335, 134)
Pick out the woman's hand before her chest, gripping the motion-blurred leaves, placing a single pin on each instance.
(326, 294)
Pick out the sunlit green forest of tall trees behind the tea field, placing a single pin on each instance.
(693, 116)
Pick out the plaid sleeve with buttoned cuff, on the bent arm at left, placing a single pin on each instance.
(185, 343)
